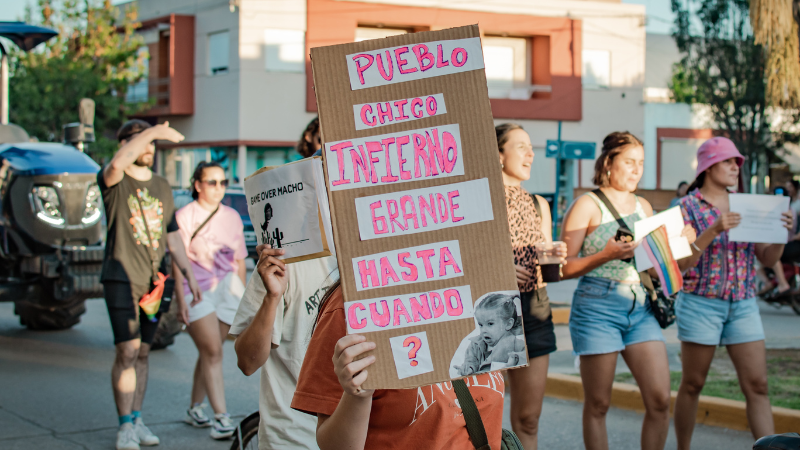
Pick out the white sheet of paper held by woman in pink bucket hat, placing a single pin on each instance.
(761, 218)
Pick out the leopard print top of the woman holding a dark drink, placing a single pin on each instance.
(525, 225)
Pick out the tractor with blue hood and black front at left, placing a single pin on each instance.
(51, 226)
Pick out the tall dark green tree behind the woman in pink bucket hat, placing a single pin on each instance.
(724, 68)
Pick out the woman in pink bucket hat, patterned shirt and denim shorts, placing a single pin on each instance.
(717, 305)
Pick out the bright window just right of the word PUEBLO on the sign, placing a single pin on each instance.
(507, 67)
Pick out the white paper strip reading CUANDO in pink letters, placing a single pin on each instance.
(407, 310)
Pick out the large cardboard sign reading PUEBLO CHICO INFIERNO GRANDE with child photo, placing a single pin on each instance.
(418, 206)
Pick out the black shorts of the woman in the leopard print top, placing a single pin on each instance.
(537, 320)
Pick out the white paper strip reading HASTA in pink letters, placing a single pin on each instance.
(434, 261)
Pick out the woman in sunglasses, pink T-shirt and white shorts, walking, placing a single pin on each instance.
(214, 238)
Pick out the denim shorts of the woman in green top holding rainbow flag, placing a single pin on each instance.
(607, 316)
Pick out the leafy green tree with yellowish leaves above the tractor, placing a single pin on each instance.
(95, 55)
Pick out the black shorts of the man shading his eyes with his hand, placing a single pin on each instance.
(128, 321)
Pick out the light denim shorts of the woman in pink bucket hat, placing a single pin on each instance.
(713, 321)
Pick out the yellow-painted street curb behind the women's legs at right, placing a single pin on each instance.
(713, 411)
